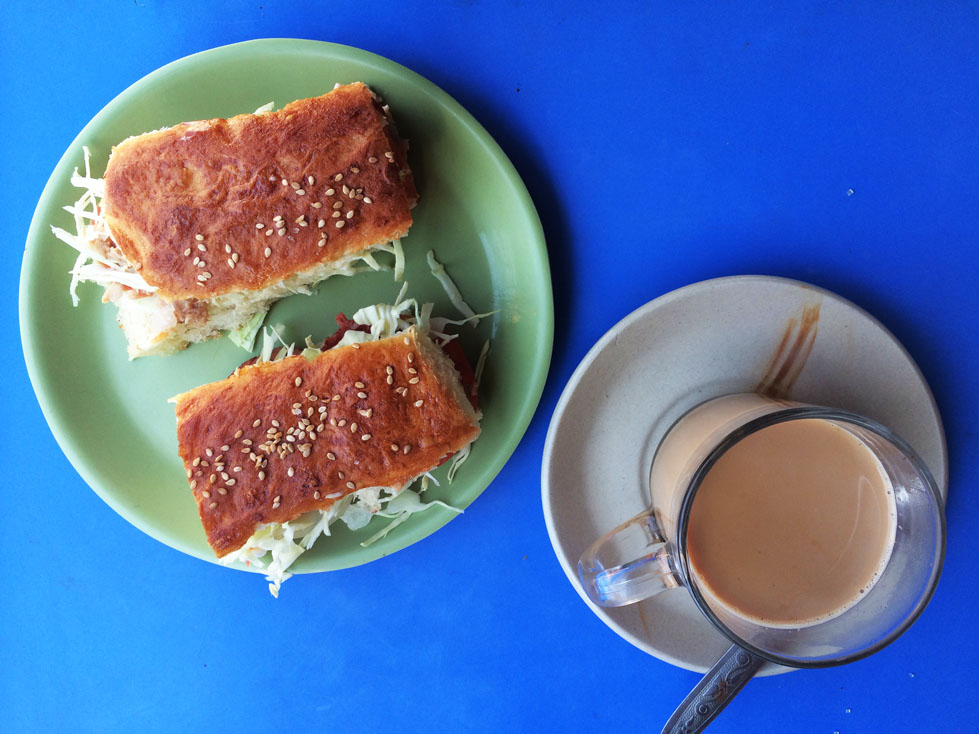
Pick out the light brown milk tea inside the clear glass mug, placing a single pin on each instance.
(792, 525)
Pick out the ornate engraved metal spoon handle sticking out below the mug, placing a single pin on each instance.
(715, 690)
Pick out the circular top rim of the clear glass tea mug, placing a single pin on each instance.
(766, 421)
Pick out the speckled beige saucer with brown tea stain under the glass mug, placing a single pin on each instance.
(709, 339)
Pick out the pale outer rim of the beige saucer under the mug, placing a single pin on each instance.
(602, 344)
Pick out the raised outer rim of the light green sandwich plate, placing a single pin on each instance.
(514, 432)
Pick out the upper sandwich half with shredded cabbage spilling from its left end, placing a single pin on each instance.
(198, 228)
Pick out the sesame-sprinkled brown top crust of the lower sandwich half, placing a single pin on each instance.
(339, 423)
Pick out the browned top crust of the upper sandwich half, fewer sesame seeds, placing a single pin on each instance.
(201, 188)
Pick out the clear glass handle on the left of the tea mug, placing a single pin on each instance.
(628, 564)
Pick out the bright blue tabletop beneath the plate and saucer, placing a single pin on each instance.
(835, 143)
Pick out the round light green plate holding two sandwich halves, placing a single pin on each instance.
(111, 416)
